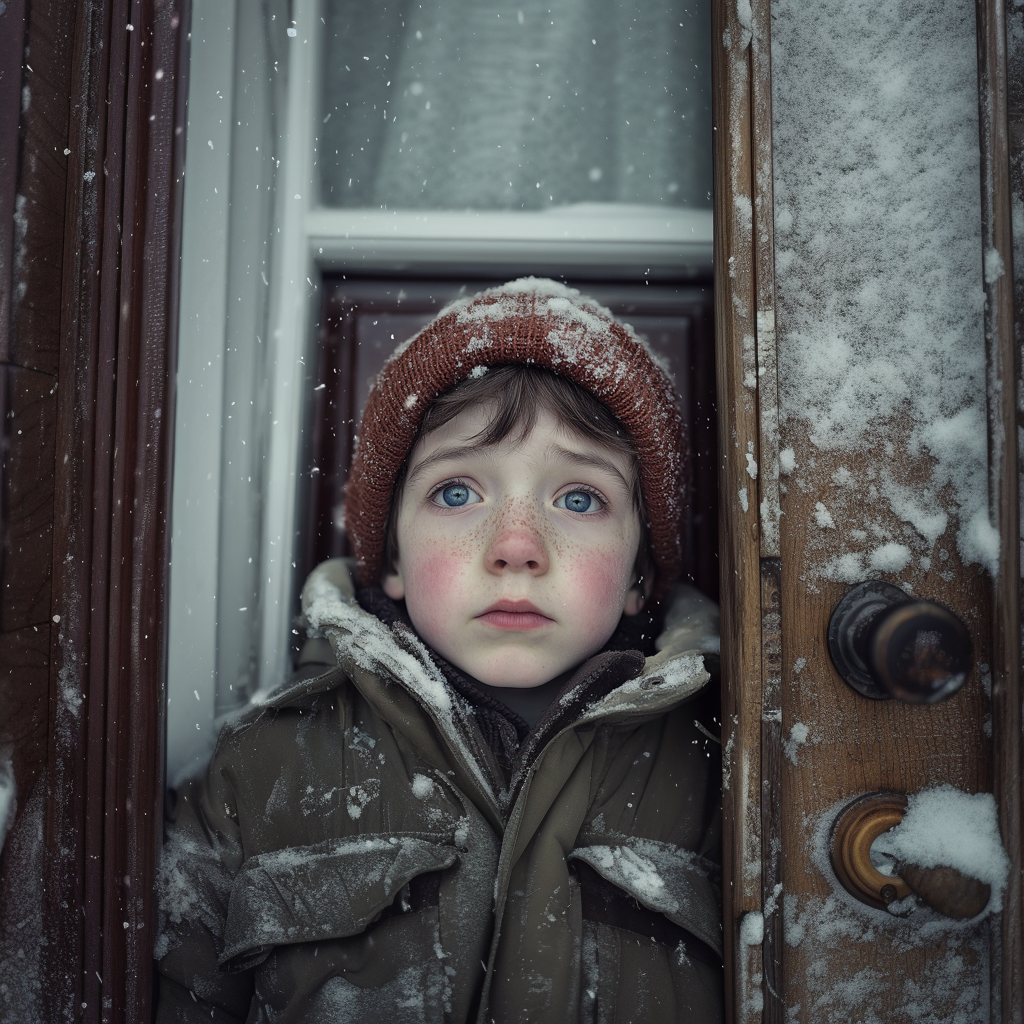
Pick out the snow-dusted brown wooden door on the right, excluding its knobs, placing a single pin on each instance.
(848, 176)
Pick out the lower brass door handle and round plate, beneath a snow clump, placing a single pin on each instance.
(859, 826)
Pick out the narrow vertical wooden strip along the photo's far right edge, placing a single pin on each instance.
(1003, 360)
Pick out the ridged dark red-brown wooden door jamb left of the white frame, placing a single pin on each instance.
(111, 551)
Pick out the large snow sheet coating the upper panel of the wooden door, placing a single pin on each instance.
(880, 281)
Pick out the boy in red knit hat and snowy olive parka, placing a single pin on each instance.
(481, 802)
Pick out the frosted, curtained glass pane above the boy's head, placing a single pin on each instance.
(492, 106)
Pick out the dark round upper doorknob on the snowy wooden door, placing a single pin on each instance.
(886, 645)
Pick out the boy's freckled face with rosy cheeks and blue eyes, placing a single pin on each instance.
(516, 562)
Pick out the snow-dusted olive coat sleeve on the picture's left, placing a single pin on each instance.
(202, 855)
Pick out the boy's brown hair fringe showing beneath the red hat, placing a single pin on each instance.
(518, 394)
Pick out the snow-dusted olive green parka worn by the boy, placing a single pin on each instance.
(357, 854)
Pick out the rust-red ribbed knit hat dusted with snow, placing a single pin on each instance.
(537, 322)
